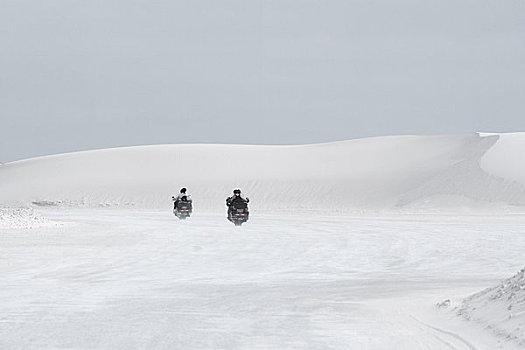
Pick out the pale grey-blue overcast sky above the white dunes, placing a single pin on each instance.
(77, 75)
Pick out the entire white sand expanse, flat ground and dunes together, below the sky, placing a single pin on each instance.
(120, 278)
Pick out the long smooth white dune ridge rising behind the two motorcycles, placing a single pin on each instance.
(444, 173)
